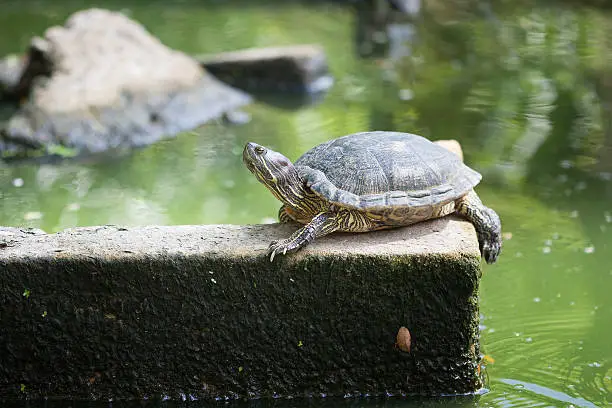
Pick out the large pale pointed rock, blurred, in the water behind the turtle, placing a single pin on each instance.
(102, 82)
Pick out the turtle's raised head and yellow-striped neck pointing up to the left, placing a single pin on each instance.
(276, 172)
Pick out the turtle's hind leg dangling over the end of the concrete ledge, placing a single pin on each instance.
(487, 224)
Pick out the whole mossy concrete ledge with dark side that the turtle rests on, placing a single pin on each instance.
(201, 312)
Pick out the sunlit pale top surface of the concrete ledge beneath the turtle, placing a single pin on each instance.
(446, 236)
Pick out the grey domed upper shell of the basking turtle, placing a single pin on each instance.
(381, 170)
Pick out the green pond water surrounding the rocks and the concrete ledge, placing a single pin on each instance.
(526, 89)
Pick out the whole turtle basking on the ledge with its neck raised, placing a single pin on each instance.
(371, 181)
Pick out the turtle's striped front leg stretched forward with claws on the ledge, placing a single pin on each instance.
(322, 224)
